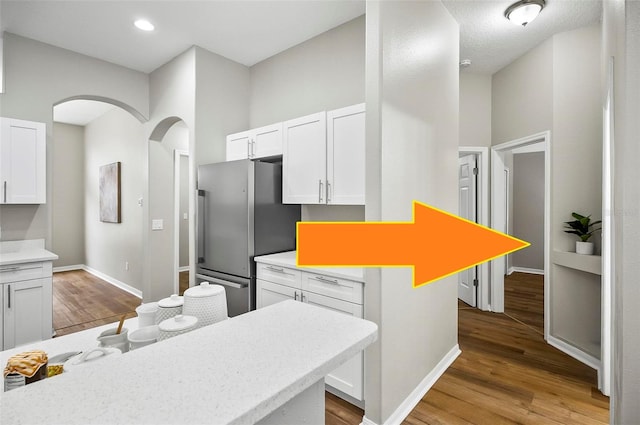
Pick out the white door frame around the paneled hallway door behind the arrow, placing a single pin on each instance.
(482, 197)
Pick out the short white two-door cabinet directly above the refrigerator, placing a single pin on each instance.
(258, 143)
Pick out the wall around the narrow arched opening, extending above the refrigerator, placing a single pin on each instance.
(209, 93)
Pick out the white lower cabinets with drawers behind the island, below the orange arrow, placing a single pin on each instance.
(323, 291)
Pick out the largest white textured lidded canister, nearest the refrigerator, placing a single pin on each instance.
(207, 302)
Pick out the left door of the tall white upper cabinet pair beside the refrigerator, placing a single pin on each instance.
(304, 156)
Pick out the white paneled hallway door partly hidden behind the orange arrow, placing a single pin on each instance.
(467, 209)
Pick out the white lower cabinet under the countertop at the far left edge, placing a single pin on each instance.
(26, 303)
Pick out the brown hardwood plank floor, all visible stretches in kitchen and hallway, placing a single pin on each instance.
(506, 373)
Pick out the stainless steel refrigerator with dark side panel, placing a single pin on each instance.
(240, 215)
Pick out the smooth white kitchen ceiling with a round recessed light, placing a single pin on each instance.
(241, 30)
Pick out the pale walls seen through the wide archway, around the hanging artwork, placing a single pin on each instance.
(88, 133)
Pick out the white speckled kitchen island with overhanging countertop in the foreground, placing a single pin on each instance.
(266, 366)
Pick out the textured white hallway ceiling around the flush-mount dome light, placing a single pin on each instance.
(492, 42)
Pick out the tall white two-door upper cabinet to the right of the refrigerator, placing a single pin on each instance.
(323, 158)
